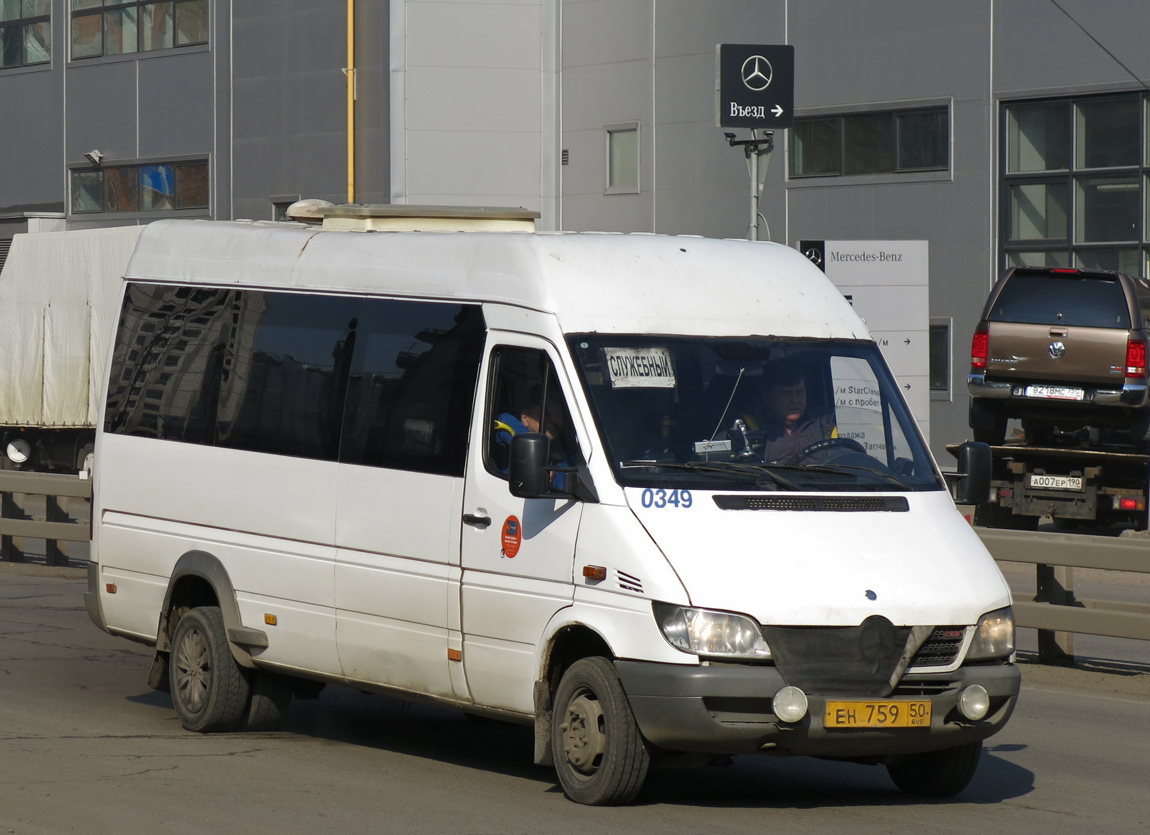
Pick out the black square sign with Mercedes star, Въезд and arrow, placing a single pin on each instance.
(755, 85)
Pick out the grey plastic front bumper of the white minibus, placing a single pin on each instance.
(727, 710)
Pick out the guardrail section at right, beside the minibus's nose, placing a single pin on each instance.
(1055, 609)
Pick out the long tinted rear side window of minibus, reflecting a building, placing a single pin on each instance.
(234, 369)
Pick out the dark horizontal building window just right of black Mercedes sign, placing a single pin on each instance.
(885, 142)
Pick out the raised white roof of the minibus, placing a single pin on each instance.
(592, 282)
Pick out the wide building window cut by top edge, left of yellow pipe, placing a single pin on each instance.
(118, 28)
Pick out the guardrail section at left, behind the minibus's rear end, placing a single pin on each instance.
(56, 526)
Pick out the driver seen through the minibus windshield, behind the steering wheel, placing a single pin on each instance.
(781, 415)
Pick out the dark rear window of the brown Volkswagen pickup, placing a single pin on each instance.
(1085, 303)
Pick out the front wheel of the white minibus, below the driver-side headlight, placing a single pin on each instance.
(601, 757)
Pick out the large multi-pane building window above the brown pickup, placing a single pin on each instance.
(1075, 185)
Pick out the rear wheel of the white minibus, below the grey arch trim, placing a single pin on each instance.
(209, 690)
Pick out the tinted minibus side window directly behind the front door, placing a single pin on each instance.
(412, 386)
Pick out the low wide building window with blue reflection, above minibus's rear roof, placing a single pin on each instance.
(151, 188)
